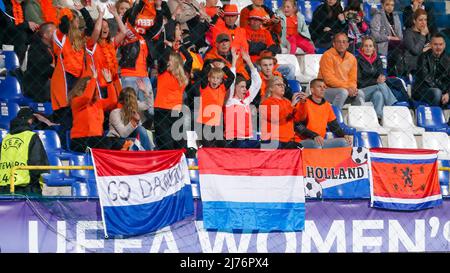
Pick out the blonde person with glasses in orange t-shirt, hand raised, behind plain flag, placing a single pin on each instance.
(277, 117)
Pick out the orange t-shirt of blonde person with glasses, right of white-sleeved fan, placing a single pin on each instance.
(277, 127)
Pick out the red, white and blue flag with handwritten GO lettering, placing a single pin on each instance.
(141, 192)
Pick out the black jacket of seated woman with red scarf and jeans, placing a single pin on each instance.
(368, 73)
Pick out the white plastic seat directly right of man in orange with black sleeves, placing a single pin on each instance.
(364, 118)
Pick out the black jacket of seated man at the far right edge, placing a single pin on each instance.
(432, 72)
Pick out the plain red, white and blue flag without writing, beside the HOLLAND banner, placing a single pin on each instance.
(252, 189)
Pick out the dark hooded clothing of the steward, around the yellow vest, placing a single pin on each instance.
(36, 152)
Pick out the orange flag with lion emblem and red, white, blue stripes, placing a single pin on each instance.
(404, 179)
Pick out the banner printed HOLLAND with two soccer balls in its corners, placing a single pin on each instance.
(336, 173)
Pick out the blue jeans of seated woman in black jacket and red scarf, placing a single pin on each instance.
(380, 95)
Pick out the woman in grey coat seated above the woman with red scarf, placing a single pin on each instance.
(386, 28)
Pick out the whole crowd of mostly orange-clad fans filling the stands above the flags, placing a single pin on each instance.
(113, 81)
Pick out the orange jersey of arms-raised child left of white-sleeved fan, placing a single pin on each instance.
(211, 104)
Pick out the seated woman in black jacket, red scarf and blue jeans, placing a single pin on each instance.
(371, 79)
